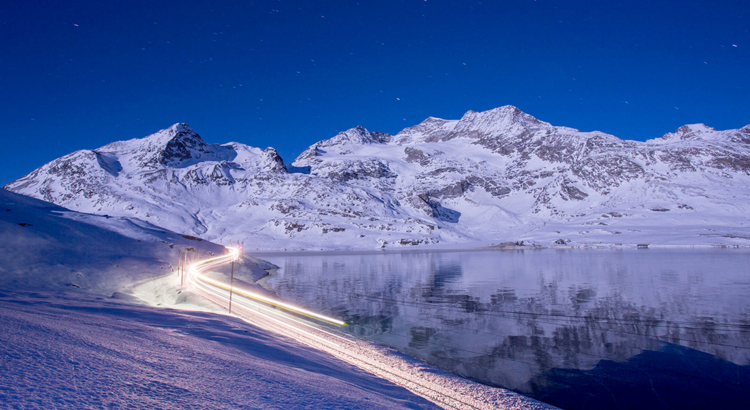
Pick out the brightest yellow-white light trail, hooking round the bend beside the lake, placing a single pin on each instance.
(194, 272)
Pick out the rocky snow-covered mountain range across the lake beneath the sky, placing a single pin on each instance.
(490, 177)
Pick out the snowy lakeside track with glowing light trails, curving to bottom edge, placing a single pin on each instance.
(319, 331)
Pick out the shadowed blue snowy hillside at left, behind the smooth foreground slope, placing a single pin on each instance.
(48, 248)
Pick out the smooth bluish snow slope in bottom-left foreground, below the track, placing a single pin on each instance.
(77, 351)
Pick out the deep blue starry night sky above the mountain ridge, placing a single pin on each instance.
(80, 74)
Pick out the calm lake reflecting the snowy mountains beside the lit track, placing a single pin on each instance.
(580, 329)
